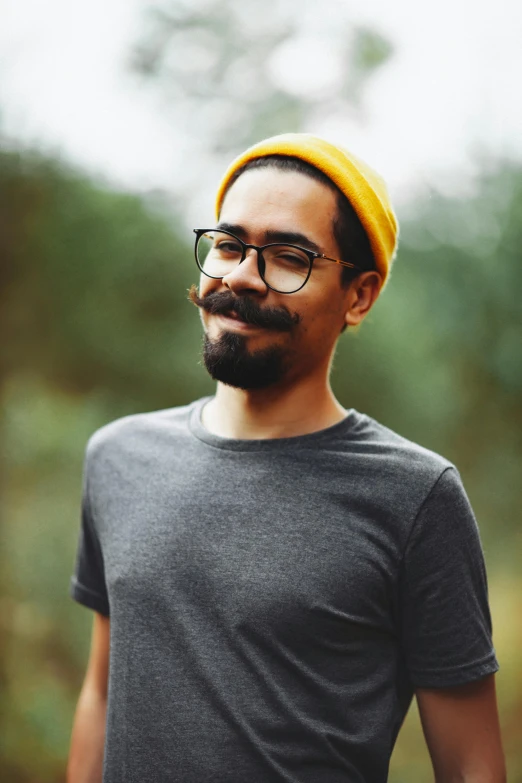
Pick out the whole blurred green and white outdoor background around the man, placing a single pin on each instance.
(116, 119)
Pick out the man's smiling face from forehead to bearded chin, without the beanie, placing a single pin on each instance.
(250, 356)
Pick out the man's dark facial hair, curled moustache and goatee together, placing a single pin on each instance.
(228, 359)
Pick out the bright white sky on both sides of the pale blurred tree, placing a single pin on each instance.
(451, 89)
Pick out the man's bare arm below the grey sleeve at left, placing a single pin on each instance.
(88, 735)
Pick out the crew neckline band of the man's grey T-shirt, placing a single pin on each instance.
(269, 444)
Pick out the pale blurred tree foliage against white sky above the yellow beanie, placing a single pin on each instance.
(233, 73)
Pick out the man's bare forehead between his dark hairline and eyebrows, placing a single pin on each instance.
(267, 198)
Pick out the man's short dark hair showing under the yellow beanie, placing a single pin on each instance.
(347, 228)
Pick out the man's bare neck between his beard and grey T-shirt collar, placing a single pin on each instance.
(278, 412)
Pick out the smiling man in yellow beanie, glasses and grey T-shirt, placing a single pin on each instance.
(274, 577)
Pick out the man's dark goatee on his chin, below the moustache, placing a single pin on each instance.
(227, 360)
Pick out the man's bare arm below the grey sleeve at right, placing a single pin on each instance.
(462, 732)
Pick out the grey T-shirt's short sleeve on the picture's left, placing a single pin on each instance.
(88, 581)
